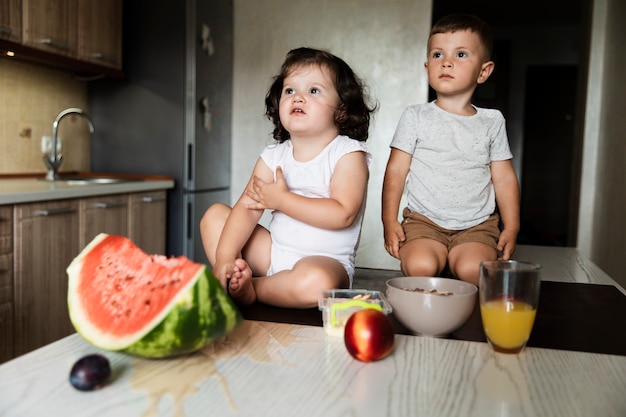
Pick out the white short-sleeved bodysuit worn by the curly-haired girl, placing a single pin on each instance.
(292, 239)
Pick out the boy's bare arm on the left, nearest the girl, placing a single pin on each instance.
(393, 187)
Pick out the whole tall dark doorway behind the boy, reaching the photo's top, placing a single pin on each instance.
(534, 89)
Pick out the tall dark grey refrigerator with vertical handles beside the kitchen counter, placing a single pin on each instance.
(171, 114)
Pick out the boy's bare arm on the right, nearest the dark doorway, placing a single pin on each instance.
(507, 192)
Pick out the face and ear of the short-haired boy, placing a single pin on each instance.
(456, 62)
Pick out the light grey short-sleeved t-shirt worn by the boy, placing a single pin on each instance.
(449, 180)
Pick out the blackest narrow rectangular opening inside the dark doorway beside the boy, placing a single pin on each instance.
(548, 155)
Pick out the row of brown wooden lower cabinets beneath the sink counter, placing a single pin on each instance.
(37, 243)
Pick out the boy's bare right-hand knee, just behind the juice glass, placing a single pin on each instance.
(465, 260)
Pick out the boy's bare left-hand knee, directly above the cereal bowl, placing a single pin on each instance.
(423, 257)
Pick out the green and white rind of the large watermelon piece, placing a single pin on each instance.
(198, 314)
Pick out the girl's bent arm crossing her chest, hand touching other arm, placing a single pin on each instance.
(348, 187)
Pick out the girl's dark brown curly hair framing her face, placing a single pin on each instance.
(352, 117)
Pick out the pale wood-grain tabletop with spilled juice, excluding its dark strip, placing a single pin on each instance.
(277, 369)
